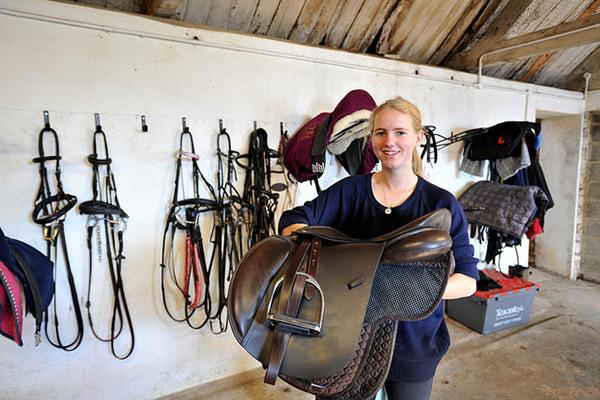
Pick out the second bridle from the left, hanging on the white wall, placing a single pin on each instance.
(105, 207)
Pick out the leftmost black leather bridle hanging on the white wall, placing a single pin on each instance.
(50, 212)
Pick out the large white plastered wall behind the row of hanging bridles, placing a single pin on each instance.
(74, 61)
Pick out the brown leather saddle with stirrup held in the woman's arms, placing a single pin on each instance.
(319, 308)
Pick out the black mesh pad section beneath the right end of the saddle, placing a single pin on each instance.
(408, 291)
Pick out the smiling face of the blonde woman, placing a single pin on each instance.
(394, 139)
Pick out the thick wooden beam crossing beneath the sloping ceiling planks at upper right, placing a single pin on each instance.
(573, 37)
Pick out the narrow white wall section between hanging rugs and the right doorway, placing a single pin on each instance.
(559, 160)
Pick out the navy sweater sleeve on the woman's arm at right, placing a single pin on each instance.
(463, 251)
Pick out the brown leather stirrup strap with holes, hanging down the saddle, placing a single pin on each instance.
(290, 299)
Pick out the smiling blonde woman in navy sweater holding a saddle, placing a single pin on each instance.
(375, 204)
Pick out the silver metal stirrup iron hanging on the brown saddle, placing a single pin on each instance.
(296, 325)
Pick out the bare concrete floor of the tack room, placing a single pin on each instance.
(555, 356)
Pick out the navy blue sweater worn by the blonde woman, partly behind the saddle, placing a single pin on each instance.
(349, 206)
